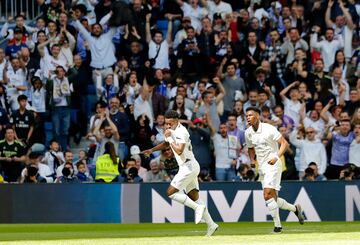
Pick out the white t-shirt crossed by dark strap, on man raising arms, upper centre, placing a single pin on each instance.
(162, 60)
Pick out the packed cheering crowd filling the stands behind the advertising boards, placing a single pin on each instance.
(130, 61)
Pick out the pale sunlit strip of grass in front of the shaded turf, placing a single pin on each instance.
(301, 238)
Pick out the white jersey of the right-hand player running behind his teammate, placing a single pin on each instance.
(264, 140)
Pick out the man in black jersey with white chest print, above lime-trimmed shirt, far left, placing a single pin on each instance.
(22, 121)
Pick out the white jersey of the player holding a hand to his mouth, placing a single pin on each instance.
(181, 136)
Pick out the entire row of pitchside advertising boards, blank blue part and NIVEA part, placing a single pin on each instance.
(147, 202)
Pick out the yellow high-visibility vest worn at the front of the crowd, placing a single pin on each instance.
(105, 169)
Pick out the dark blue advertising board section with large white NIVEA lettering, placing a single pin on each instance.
(233, 202)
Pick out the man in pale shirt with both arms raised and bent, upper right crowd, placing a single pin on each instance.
(327, 47)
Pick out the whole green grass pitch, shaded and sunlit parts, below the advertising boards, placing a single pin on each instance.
(188, 233)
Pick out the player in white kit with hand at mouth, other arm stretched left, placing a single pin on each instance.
(178, 138)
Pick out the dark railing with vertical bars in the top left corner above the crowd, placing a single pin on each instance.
(8, 8)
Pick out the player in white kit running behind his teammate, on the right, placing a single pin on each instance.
(263, 142)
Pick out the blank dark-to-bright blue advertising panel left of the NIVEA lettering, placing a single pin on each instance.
(61, 203)
